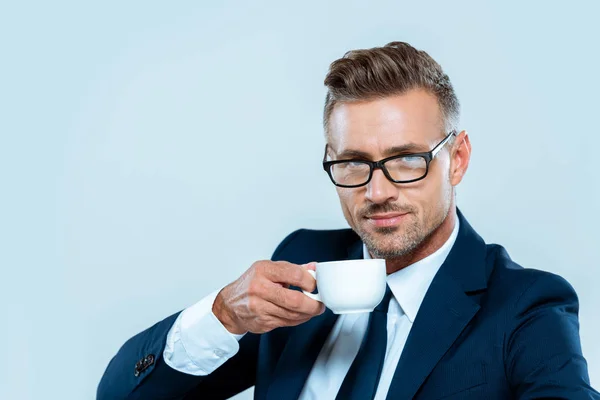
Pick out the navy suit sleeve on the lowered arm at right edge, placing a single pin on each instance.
(544, 357)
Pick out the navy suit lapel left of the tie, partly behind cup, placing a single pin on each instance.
(303, 347)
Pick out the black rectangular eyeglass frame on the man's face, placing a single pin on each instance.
(428, 156)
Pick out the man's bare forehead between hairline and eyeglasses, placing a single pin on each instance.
(376, 125)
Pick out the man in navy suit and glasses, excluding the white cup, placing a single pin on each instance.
(461, 319)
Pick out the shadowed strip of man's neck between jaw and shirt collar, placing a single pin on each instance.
(430, 245)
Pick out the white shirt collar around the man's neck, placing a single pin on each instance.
(410, 284)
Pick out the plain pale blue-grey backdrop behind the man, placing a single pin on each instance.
(150, 152)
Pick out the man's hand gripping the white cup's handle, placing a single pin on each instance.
(260, 300)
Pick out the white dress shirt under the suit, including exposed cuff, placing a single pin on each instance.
(198, 343)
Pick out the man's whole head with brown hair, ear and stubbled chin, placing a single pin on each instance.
(388, 101)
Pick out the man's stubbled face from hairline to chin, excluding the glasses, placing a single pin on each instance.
(393, 219)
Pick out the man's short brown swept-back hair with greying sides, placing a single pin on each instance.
(392, 69)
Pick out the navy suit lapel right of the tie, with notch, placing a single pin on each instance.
(445, 312)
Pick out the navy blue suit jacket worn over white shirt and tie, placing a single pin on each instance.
(487, 329)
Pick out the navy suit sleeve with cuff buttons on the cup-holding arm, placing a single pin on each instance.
(157, 380)
